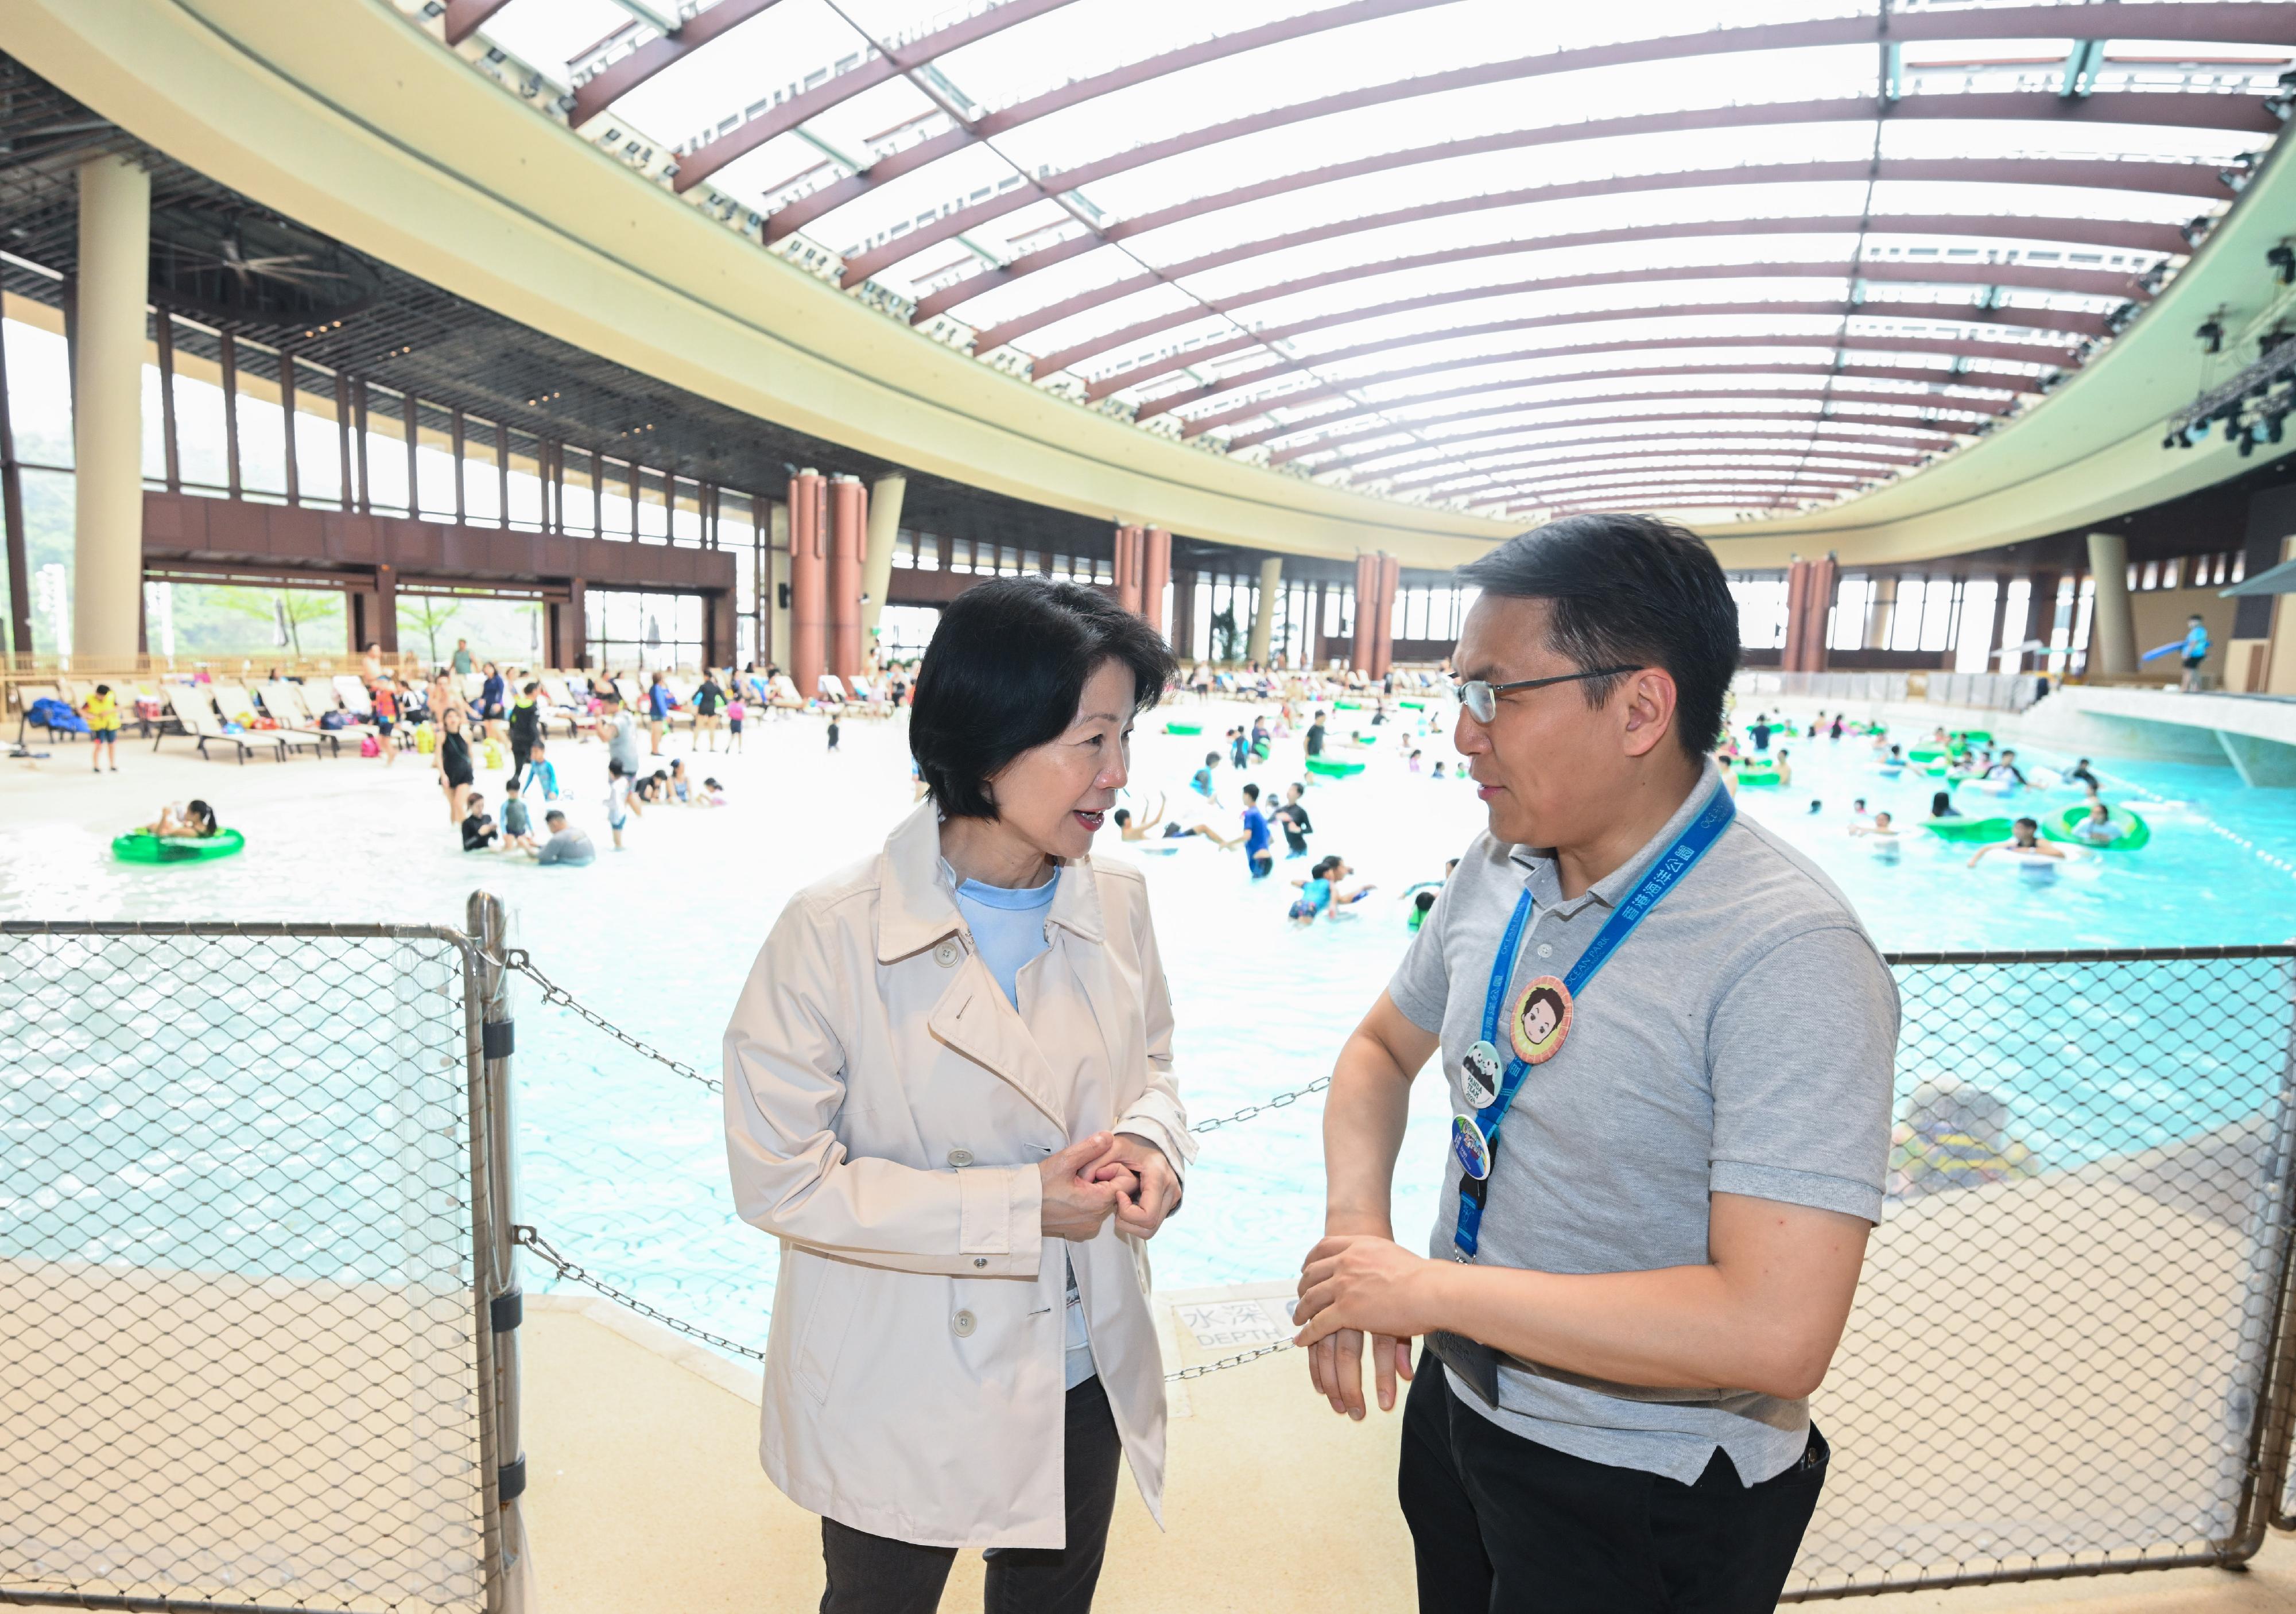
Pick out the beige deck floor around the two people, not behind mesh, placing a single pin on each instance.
(646, 1496)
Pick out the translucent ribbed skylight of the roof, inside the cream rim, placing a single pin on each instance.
(1383, 240)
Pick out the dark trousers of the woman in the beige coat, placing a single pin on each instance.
(883, 1576)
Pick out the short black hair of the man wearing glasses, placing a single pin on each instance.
(1629, 591)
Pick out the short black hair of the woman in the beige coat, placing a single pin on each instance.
(1004, 674)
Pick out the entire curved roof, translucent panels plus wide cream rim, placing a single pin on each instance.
(1884, 279)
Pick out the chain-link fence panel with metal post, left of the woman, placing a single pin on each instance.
(247, 1289)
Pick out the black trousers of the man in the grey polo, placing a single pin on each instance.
(1503, 1526)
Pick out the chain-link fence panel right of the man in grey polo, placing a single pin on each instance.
(2070, 1351)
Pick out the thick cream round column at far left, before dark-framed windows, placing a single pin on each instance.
(107, 417)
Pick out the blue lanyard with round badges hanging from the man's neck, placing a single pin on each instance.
(1537, 1021)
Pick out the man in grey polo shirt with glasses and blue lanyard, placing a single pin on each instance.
(1613, 1413)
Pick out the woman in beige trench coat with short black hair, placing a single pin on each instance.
(949, 1096)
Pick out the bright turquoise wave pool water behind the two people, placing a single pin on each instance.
(623, 1163)
